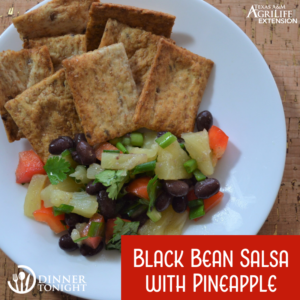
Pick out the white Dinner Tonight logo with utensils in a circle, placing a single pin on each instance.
(62, 283)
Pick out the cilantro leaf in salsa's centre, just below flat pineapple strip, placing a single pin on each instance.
(114, 179)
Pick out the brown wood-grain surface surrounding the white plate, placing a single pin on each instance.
(280, 46)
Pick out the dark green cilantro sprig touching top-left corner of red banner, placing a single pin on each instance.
(121, 228)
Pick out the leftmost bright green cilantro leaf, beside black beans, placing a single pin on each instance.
(57, 169)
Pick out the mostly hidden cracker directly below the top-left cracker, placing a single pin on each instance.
(60, 48)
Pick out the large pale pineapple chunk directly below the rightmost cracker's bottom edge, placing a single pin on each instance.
(170, 162)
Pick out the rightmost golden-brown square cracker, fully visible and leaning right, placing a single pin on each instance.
(173, 91)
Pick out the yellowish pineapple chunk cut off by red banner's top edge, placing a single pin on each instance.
(171, 223)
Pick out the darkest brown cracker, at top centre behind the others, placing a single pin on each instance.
(156, 22)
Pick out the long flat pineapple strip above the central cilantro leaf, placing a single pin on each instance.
(115, 161)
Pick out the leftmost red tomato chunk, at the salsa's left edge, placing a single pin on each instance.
(29, 165)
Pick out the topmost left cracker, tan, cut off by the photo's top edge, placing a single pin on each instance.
(55, 18)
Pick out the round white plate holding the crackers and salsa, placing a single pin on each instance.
(245, 103)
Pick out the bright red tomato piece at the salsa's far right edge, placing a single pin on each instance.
(217, 141)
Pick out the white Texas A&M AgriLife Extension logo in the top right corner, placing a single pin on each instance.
(272, 14)
